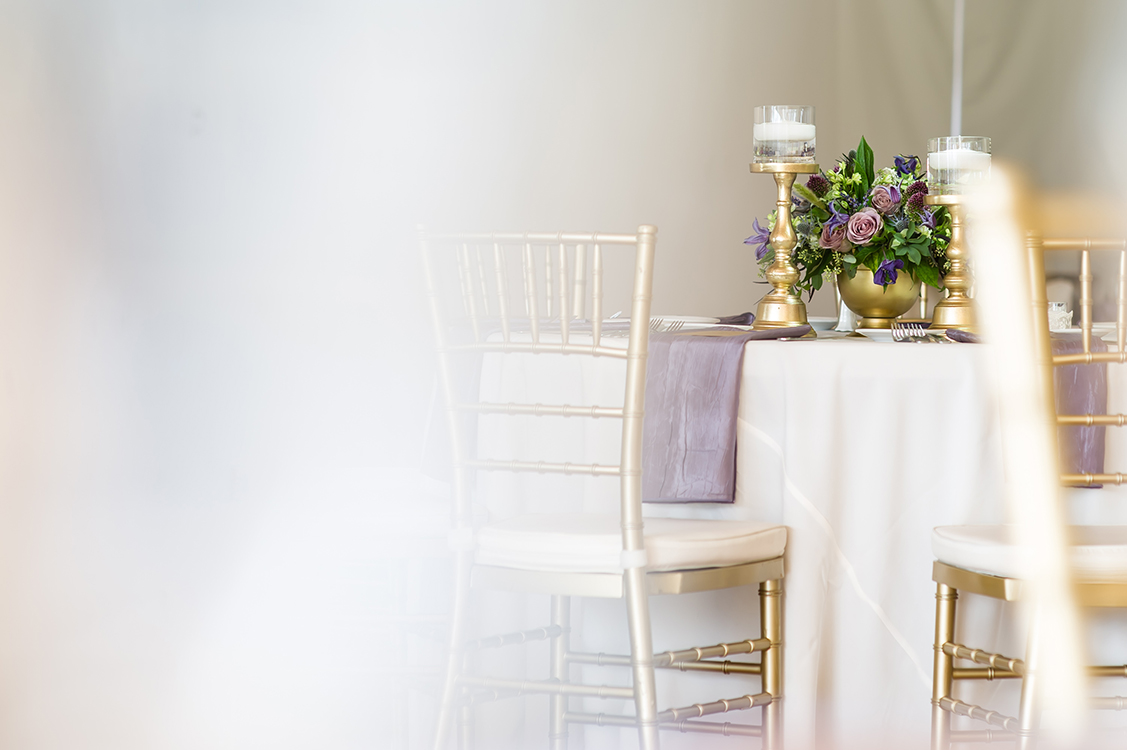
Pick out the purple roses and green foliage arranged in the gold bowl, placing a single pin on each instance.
(857, 217)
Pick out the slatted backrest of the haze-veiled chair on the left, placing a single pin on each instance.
(508, 295)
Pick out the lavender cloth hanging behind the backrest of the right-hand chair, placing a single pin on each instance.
(1081, 390)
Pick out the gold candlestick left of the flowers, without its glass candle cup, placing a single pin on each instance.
(783, 307)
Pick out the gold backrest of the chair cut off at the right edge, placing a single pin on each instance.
(1090, 350)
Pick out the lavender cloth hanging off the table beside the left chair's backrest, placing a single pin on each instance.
(693, 403)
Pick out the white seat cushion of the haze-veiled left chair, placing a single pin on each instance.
(585, 543)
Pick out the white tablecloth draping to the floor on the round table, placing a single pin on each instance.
(860, 449)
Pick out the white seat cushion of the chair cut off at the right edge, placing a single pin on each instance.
(1099, 553)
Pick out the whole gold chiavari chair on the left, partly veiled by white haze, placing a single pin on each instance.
(545, 314)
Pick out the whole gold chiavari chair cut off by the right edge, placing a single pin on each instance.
(988, 560)
